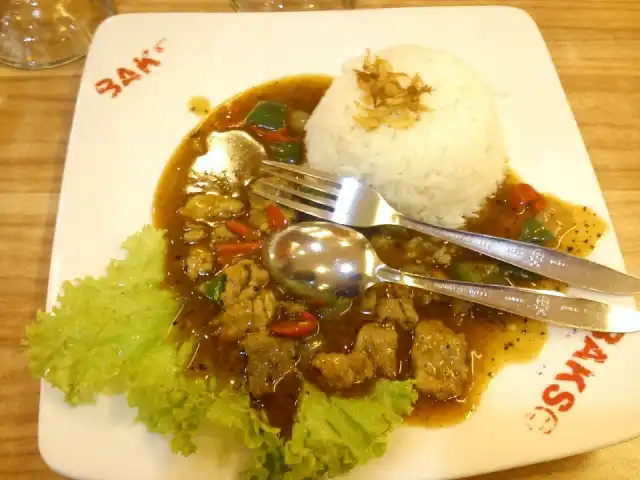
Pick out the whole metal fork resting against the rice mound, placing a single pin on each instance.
(347, 201)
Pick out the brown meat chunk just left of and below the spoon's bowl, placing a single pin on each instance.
(245, 279)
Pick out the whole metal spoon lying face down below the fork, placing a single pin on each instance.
(326, 260)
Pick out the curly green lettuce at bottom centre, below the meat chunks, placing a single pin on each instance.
(334, 434)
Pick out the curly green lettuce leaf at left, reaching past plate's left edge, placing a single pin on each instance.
(109, 335)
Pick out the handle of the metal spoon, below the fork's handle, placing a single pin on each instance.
(546, 306)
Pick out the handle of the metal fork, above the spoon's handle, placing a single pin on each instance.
(547, 262)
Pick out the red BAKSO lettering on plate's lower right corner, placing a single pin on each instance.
(561, 396)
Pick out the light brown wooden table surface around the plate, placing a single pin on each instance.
(595, 45)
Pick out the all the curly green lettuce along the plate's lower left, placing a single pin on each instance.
(109, 335)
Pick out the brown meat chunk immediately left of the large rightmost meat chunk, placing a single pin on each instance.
(380, 345)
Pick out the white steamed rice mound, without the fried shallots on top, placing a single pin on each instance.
(440, 170)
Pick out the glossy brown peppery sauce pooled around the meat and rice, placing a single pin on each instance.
(495, 339)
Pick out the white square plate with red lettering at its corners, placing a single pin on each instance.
(119, 146)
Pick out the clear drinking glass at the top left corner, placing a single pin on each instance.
(46, 33)
